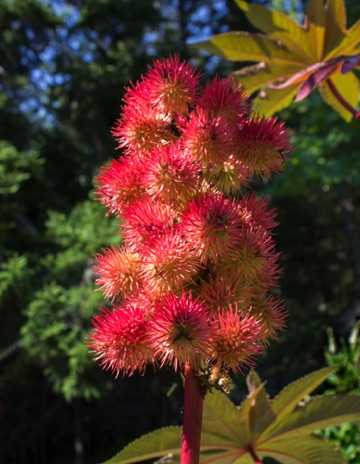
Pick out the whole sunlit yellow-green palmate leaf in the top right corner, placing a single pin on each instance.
(291, 54)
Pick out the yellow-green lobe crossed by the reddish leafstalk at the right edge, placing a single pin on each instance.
(348, 87)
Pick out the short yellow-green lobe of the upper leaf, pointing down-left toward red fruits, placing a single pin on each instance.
(270, 101)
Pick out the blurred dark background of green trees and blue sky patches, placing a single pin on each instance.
(63, 68)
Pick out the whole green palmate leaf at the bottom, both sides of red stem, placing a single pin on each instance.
(278, 428)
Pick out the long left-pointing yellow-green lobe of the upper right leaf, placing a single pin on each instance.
(244, 46)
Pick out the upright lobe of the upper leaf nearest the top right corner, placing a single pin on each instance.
(335, 24)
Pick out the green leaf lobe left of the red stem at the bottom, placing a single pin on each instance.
(156, 444)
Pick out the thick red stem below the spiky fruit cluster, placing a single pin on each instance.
(193, 407)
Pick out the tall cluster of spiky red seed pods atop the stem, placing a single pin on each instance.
(192, 280)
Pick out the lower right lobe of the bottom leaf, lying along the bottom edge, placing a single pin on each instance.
(308, 450)
